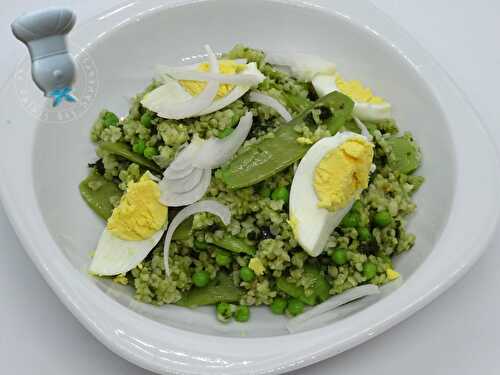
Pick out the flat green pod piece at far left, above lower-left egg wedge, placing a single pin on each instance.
(99, 200)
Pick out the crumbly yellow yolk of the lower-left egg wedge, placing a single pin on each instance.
(140, 213)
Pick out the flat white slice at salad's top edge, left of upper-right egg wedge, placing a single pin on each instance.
(302, 65)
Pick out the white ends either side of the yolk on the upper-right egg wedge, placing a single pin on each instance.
(324, 84)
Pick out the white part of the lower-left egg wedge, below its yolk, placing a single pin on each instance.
(115, 256)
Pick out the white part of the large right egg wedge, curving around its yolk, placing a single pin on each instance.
(312, 225)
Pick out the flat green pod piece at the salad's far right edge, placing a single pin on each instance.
(406, 154)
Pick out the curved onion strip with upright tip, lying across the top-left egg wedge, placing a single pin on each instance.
(197, 103)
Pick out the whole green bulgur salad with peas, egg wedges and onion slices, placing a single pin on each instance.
(252, 179)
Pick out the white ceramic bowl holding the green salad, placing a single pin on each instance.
(45, 158)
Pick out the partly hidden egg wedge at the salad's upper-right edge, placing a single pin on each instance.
(367, 107)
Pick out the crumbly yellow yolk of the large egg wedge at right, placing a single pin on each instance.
(342, 173)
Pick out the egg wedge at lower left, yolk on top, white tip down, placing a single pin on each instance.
(133, 230)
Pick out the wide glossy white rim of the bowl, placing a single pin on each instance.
(137, 338)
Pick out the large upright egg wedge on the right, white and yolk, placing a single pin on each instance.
(328, 179)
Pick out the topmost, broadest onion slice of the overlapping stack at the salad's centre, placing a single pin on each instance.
(214, 152)
